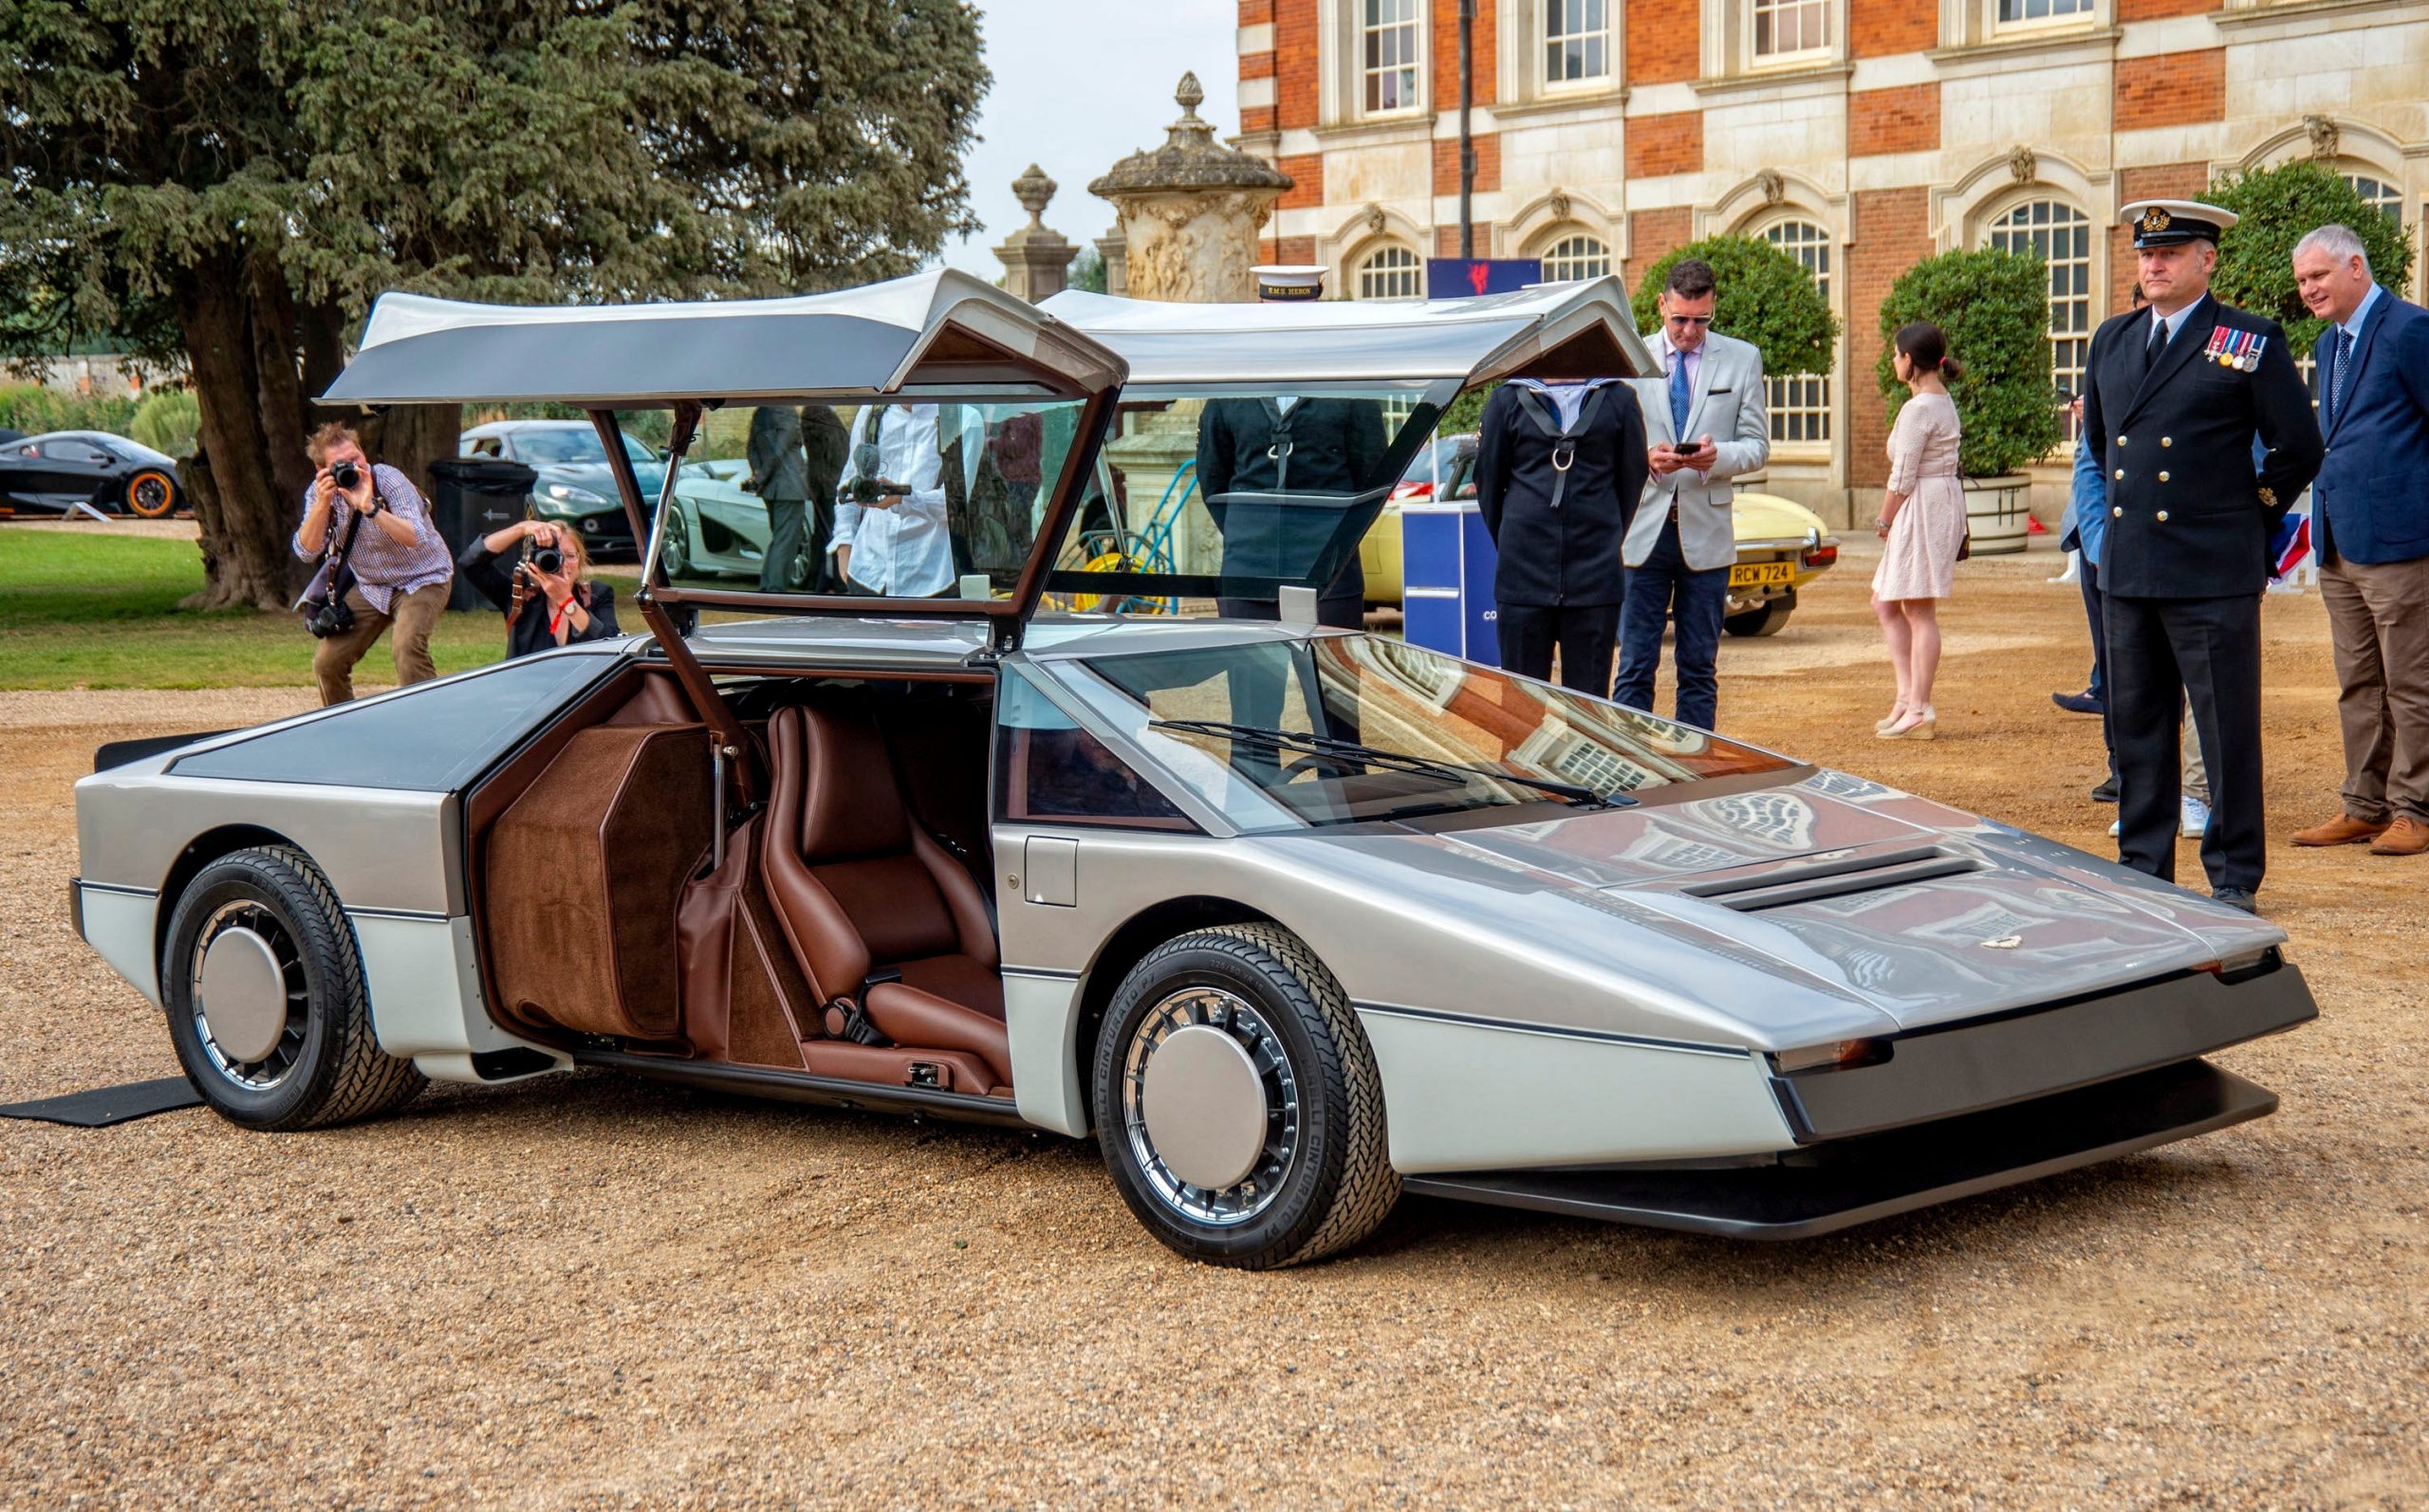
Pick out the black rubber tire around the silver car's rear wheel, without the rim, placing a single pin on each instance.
(276, 885)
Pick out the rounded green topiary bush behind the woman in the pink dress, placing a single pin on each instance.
(1995, 309)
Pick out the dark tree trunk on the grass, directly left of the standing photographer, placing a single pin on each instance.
(247, 523)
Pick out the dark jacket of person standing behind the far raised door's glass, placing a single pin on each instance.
(1335, 450)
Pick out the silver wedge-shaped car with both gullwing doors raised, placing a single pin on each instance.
(1289, 919)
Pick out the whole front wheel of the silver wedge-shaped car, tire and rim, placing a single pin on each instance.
(1276, 1084)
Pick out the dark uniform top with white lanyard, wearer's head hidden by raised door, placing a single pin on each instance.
(1565, 555)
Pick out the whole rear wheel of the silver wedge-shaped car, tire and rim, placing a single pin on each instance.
(315, 1059)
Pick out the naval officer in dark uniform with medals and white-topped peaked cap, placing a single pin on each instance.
(2173, 399)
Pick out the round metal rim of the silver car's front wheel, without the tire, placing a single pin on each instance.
(1211, 1105)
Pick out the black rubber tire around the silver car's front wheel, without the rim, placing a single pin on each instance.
(1225, 962)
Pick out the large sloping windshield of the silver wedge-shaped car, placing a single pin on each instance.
(1468, 737)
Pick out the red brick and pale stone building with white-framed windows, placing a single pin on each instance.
(1857, 135)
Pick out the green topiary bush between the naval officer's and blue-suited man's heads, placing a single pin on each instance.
(2280, 208)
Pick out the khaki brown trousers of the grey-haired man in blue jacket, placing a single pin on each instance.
(2379, 625)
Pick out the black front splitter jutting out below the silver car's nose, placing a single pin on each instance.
(1857, 1181)
